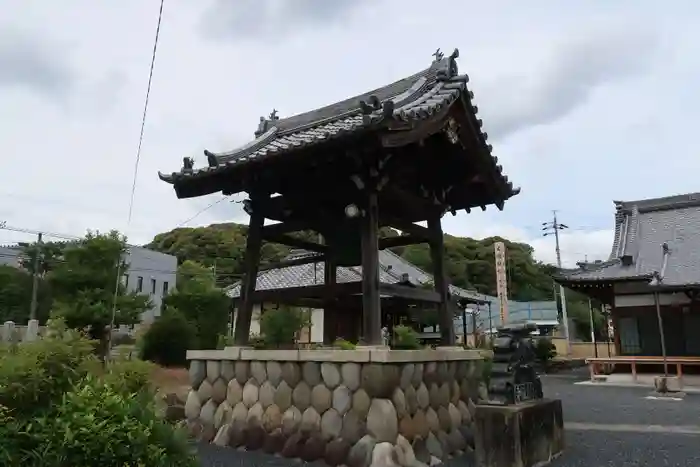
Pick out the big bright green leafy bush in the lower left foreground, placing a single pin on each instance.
(59, 407)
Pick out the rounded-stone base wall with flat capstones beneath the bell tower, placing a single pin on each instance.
(343, 406)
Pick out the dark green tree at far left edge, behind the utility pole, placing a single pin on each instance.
(16, 296)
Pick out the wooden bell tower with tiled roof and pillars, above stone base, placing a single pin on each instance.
(407, 152)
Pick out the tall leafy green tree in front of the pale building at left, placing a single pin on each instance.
(83, 285)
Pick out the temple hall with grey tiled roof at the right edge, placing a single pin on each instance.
(651, 282)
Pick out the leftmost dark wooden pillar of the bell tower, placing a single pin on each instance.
(251, 265)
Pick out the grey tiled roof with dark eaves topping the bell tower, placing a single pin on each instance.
(420, 133)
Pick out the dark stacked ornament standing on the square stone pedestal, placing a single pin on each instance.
(513, 375)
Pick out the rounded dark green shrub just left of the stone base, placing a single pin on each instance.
(167, 340)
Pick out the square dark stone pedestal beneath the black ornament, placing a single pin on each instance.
(522, 435)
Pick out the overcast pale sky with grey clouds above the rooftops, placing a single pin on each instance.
(584, 101)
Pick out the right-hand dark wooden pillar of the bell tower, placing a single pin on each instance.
(437, 253)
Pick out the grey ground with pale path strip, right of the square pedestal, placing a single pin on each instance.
(621, 427)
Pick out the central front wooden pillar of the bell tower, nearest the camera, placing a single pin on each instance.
(371, 302)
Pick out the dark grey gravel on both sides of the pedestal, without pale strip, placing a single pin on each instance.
(603, 407)
